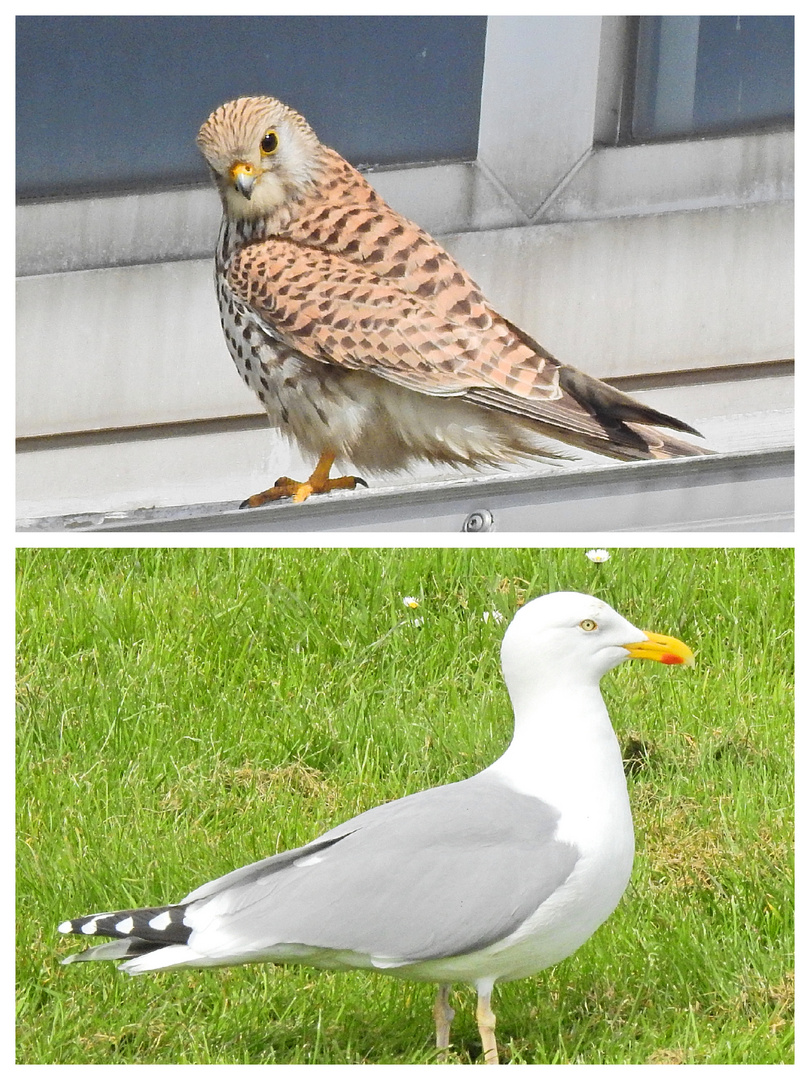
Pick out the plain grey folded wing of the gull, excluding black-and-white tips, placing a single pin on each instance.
(437, 874)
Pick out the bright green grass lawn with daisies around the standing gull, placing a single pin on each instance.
(184, 712)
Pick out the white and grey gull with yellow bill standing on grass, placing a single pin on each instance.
(485, 881)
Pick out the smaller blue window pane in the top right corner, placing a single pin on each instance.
(713, 74)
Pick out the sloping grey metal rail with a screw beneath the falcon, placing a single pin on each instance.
(744, 492)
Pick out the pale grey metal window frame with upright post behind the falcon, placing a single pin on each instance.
(503, 188)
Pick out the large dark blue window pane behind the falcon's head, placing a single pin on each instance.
(114, 103)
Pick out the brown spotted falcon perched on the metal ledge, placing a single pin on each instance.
(366, 341)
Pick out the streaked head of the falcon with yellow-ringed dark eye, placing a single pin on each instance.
(263, 156)
